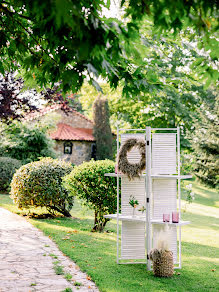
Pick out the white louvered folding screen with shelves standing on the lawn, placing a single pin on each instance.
(157, 189)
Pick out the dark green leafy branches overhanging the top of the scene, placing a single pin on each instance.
(69, 41)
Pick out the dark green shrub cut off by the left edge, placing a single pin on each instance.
(8, 166)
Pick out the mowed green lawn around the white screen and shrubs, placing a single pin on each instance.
(95, 253)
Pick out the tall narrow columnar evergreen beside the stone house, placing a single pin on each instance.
(102, 130)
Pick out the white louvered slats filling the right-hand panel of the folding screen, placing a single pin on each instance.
(164, 191)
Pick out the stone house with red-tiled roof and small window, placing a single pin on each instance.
(74, 140)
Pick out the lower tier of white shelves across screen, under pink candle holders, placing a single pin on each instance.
(143, 219)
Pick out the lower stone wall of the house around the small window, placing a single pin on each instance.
(81, 151)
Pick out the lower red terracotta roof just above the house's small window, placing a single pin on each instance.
(66, 132)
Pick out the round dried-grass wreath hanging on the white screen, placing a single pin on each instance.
(131, 169)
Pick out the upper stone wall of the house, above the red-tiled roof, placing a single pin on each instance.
(75, 120)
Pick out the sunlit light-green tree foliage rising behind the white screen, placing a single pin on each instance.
(170, 93)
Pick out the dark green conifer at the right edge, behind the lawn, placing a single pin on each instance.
(205, 142)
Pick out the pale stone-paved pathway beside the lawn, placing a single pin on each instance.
(27, 260)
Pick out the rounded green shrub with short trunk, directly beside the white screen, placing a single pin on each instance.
(98, 192)
